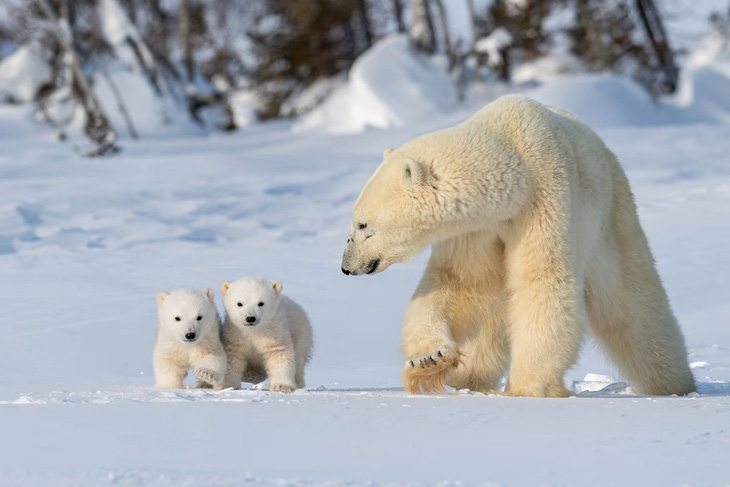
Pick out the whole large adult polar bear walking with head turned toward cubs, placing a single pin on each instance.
(535, 236)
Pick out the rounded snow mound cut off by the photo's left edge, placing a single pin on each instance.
(22, 74)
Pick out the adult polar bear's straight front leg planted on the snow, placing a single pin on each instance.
(546, 312)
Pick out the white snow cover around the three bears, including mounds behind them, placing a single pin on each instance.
(86, 243)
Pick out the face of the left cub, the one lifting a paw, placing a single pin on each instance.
(187, 315)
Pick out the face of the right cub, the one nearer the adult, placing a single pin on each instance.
(251, 301)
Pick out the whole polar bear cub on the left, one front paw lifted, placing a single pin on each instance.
(188, 337)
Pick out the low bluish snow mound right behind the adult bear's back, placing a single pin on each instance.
(607, 100)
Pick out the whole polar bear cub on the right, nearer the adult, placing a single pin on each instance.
(264, 334)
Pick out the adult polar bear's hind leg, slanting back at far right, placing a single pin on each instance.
(629, 310)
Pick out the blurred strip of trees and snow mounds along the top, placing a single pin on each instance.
(109, 70)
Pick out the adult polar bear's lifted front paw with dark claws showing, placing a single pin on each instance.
(427, 374)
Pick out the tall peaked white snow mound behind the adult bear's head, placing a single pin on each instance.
(388, 86)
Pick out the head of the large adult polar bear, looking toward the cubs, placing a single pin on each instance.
(389, 221)
